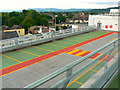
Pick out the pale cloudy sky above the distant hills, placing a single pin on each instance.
(61, 4)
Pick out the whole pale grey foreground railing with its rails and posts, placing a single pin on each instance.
(69, 68)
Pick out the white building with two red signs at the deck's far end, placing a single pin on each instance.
(108, 21)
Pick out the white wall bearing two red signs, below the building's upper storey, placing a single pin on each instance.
(105, 21)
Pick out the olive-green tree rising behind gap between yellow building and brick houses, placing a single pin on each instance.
(27, 23)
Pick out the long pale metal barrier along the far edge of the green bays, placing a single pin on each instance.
(15, 43)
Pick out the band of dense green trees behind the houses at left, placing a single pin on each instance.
(28, 18)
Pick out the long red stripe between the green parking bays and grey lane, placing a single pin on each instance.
(41, 58)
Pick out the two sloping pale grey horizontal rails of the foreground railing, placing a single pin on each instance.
(69, 67)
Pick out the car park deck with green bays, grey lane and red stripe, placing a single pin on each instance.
(40, 60)
